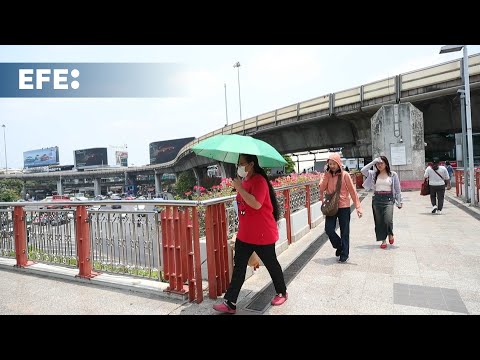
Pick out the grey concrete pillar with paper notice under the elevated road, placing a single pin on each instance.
(398, 134)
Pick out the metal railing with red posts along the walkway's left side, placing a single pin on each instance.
(162, 245)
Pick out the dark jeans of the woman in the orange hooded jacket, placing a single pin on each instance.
(342, 241)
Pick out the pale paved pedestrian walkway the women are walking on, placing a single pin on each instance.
(432, 268)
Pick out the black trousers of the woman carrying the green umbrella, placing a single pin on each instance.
(267, 254)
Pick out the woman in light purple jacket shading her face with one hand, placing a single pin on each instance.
(387, 193)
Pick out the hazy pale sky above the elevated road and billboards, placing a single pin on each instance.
(270, 77)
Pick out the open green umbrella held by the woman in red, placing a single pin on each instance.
(227, 148)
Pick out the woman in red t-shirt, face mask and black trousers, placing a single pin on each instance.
(258, 213)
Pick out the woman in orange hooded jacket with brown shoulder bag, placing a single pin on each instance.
(333, 174)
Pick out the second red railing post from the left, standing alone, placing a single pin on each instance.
(82, 233)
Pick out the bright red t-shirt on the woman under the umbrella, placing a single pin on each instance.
(256, 226)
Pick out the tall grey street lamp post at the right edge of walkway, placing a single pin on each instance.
(468, 113)
